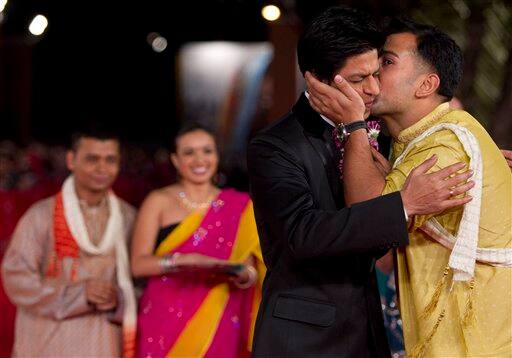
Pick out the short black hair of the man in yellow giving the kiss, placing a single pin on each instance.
(437, 49)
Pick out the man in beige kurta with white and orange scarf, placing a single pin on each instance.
(66, 268)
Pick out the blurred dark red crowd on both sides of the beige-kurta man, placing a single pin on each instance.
(30, 173)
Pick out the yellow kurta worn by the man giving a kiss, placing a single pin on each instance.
(485, 328)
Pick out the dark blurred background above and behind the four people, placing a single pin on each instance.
(93, 61)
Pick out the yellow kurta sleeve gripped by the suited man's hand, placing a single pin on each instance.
(448, 149)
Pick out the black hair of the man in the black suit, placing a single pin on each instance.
(335, 35)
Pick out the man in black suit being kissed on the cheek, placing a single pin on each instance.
(320, 295)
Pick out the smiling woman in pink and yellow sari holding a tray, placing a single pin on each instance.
(183, 232)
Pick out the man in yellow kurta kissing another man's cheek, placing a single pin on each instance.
(455, 277)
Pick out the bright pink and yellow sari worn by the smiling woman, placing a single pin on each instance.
(186, 315)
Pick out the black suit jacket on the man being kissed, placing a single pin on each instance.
(320, 295)
